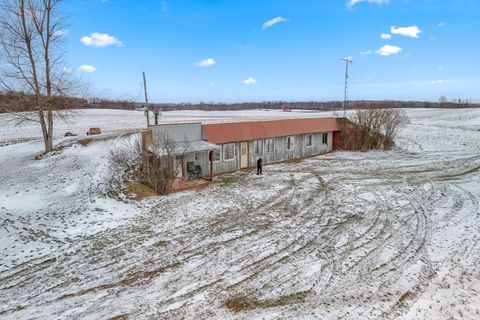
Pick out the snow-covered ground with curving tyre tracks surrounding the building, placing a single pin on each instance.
(378, 235)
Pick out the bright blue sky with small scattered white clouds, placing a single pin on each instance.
(232, 50)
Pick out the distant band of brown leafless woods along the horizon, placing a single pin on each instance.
(8, 99)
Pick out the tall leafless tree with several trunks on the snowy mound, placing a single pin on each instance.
(30, 37)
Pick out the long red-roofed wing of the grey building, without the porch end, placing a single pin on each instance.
(242, 143)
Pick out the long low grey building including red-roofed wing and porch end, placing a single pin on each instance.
(209, 149)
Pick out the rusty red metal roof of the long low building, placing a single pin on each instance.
(245, 131)
